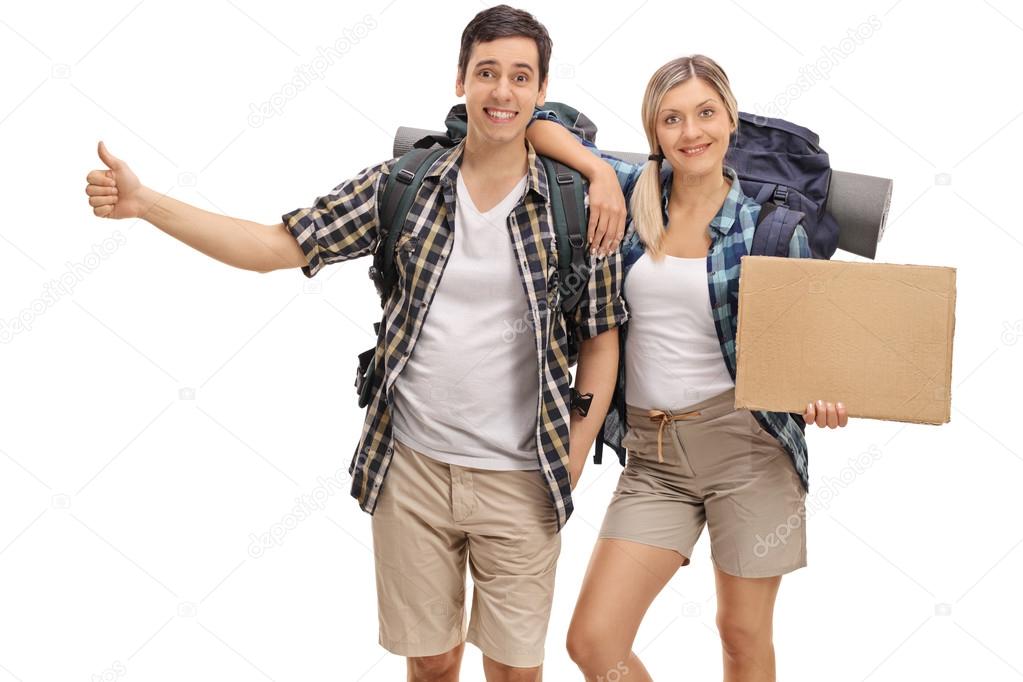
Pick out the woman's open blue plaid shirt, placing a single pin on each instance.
(732, 235)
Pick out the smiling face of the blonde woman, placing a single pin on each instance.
(693, 128)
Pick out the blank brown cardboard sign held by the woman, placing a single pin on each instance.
(875, 337)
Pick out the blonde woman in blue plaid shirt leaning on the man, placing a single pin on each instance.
(694, 459)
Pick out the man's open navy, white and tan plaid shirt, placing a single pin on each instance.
(344, 225)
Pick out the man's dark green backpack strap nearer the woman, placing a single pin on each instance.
(570, 218)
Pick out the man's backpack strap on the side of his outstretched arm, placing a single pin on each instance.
(401, 189)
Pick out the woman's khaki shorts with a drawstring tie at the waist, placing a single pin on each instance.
(721, 468)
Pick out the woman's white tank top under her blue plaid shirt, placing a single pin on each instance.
(673, 354)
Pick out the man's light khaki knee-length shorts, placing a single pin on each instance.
(430, 519)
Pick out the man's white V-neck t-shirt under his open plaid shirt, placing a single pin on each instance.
(468, 394)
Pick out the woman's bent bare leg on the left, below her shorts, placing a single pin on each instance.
(621, 582)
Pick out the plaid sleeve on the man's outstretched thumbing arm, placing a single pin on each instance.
(342, 224)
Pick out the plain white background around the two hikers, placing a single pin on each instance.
(128, 508)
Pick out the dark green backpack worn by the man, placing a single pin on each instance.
(567, 187)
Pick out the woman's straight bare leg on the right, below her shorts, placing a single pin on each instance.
(745, 621)
